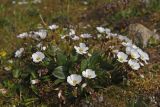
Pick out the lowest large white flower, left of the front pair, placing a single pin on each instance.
(74, 79)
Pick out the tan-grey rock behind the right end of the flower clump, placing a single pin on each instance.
(141, 34)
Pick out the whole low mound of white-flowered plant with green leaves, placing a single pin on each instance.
(102, 51)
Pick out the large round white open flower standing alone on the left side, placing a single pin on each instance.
(38, 57)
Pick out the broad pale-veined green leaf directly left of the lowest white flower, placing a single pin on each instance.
(58, 72)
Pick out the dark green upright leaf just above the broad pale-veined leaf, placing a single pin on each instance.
(61, 59)
